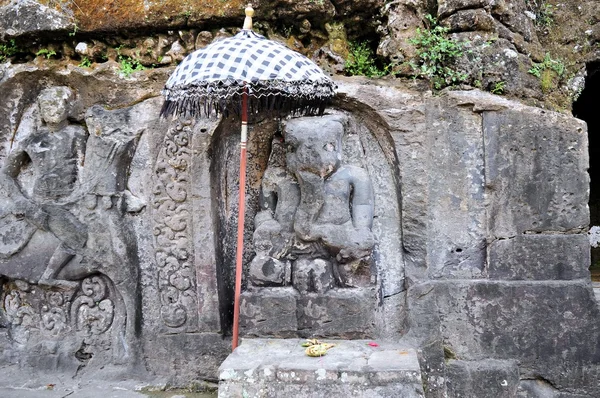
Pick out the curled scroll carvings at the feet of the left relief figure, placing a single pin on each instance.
(82, 318)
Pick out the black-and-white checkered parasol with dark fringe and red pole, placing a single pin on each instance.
(238, 74)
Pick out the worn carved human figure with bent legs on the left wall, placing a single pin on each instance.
(55, 149)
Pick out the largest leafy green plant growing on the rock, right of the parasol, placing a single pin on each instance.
(436, 53)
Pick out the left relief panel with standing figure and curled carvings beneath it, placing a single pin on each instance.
(67, 193)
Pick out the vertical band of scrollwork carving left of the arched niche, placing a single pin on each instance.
(172, 230)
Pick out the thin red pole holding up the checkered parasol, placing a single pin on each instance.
(241, 213)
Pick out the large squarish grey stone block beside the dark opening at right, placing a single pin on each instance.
(537, 181)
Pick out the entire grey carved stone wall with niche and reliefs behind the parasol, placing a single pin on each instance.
(453, 225)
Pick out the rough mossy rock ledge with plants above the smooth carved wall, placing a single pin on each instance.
(533, 50)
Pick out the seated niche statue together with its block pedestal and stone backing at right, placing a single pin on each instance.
(318, 267)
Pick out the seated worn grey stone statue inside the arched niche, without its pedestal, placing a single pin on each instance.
(314, 227)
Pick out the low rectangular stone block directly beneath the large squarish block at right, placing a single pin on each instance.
(550, 257)
